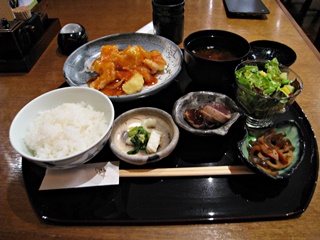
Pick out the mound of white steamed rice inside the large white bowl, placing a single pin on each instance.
(65, 130)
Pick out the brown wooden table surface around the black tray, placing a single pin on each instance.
(100, 18)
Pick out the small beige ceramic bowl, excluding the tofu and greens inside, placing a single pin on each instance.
(134, 117)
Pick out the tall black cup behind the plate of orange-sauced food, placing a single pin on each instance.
(168, 19)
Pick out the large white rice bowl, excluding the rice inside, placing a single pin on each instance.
(50, 100)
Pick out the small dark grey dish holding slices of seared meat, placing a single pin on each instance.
(205, 113)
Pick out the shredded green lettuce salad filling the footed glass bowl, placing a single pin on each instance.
(269, 81)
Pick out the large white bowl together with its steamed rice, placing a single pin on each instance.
(63, 128)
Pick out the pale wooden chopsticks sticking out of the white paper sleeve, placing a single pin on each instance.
(186, 171)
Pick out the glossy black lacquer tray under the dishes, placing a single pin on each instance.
(172, 200)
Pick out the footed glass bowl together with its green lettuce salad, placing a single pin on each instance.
(265, 89)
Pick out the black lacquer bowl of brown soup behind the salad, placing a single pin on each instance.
(212, 55)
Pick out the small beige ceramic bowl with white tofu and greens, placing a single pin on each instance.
(143, 135)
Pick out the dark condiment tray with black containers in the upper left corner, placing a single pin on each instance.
(22, 42)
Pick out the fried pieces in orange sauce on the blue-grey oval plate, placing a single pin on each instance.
(126, 71)
